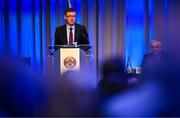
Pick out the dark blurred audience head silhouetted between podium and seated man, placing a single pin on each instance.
(114, 78)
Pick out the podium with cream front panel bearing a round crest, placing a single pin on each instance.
(67, 57)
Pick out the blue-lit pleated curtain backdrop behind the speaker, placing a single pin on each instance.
(116, 27)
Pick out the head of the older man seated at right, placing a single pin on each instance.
(156, 47)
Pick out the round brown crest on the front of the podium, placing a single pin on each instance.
(69, 62)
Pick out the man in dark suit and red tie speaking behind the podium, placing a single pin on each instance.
(71, 32)
